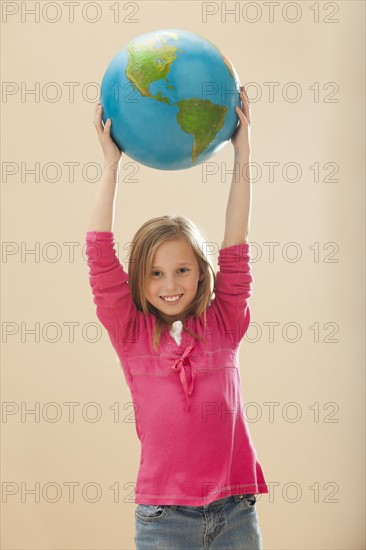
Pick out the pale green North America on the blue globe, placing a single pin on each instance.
(148, 64)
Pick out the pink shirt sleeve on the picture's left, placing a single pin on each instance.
(111, 293)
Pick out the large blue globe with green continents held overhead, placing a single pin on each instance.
(171, 97)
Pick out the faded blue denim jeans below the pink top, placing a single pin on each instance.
(229, 523)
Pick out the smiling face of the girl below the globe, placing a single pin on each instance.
(175, 273)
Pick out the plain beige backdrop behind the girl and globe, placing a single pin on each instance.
(315, 466)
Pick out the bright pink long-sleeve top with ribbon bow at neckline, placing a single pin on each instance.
(189, 417)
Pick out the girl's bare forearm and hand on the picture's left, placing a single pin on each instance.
(102, 212)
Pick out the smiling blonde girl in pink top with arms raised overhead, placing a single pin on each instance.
(179, 350)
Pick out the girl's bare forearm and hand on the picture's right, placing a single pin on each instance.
(238, 209)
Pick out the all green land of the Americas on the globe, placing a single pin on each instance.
(150, 63)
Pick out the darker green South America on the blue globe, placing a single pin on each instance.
(201, 118)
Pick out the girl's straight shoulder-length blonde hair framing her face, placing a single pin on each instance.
(145, 243)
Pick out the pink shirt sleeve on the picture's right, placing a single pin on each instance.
(232, 291)
